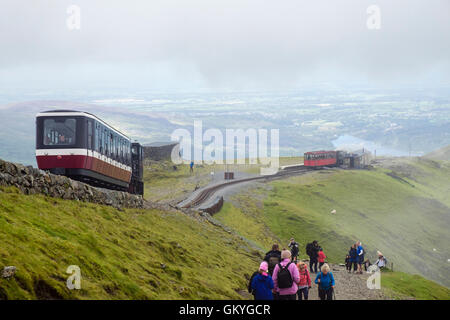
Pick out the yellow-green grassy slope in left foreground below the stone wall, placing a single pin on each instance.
(120, 253)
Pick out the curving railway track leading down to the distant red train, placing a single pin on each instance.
(207, 192)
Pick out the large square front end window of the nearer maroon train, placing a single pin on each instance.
(59, 131)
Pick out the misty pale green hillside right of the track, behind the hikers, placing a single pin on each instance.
(404, 217)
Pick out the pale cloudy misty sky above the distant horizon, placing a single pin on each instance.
(235, 44)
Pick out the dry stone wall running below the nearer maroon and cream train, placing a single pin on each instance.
(34, 181)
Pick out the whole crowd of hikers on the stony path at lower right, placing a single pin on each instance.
(282, 277)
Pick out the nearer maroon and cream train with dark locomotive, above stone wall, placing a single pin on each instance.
(83, 147)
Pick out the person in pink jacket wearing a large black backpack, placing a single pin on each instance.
(285, 277)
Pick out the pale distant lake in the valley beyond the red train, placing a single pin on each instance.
(348, 142)
